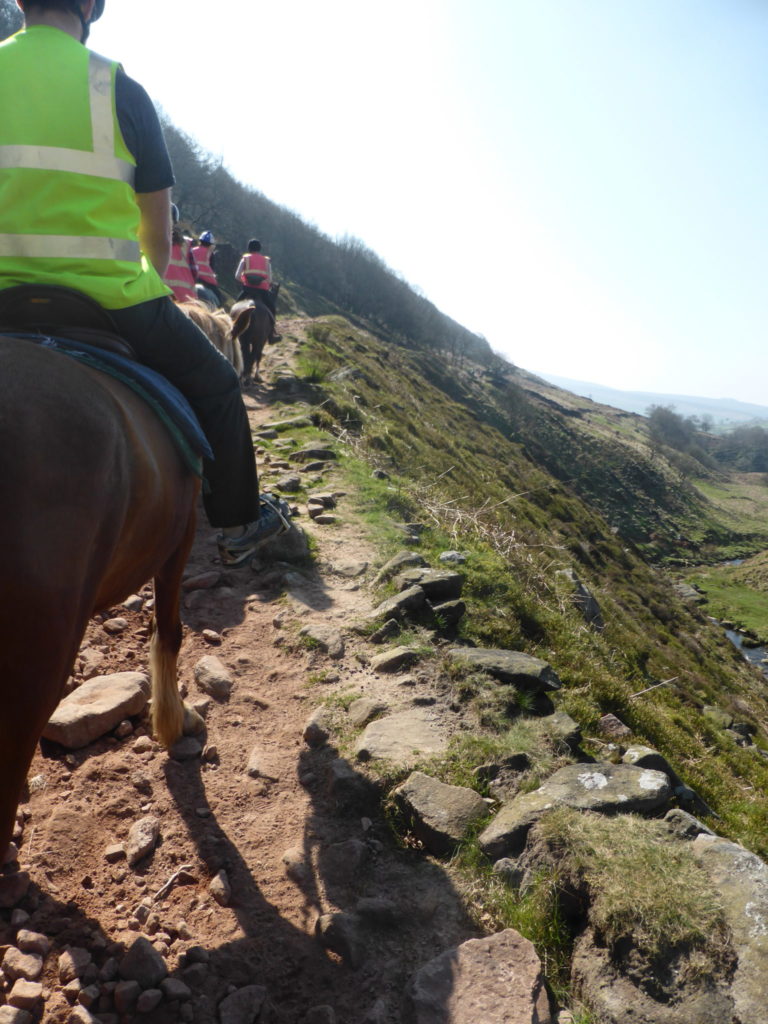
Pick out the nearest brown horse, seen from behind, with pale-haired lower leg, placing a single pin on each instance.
(96, 502)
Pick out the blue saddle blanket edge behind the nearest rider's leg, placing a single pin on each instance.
(172, 407)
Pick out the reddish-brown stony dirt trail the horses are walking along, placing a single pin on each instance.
(215, 817)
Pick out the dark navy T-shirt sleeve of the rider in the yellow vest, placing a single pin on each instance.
(144, 136)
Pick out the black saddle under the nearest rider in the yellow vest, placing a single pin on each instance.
(49, 311)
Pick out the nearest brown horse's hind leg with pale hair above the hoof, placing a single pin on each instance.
(167, 709)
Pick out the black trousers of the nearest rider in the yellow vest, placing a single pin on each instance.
(167, 342)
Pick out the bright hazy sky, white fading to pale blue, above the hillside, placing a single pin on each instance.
(582, 182)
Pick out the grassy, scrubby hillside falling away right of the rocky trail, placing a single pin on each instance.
(534, 481)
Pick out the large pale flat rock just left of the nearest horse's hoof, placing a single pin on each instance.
(97, 708)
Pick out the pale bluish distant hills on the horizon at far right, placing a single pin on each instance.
(724, 412)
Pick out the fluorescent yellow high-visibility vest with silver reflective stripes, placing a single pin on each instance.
(69, 215)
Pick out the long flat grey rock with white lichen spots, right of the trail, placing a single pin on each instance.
(606, 788)
